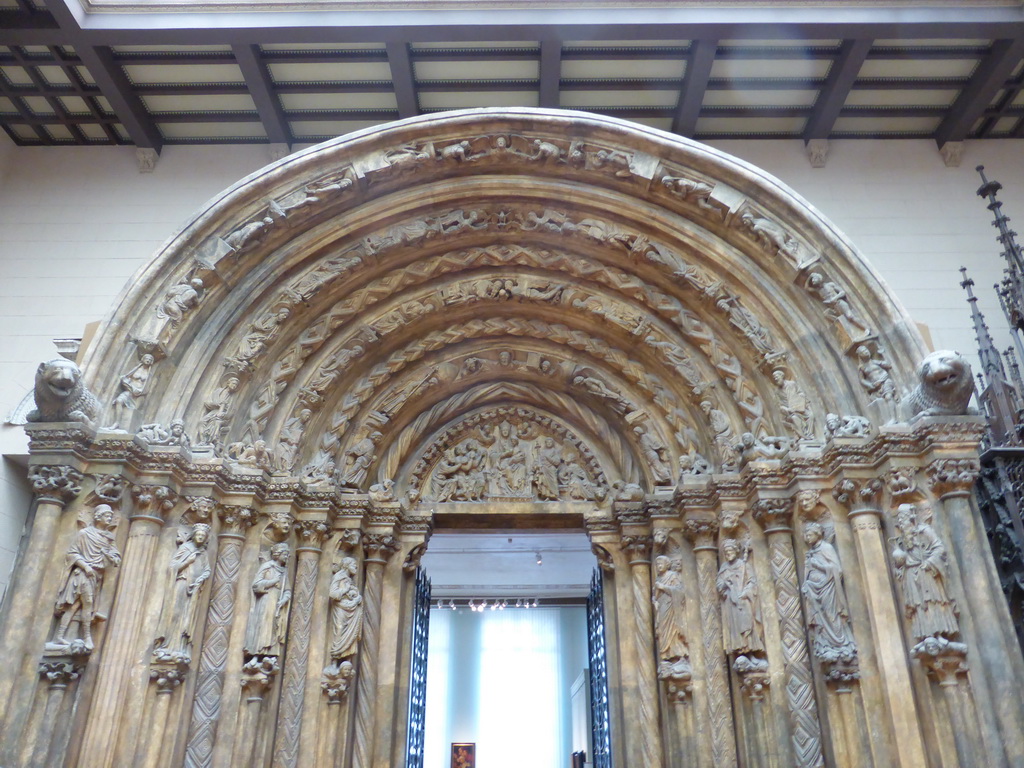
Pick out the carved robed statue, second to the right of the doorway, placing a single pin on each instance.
(738, 587)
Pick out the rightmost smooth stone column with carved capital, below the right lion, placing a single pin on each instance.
(953, 482)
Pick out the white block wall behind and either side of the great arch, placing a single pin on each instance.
(77, 223)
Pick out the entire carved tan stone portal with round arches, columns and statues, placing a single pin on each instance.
(498, 319)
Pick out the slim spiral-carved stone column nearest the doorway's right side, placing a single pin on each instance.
(638, 551)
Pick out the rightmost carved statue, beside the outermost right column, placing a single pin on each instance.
(920, 559)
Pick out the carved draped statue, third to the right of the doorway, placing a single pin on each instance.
(825, 596)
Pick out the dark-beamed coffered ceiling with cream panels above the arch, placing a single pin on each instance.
(307, 72)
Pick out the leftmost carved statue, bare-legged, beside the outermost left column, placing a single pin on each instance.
(86, 564)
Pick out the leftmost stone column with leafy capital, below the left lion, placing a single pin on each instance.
(55, 488)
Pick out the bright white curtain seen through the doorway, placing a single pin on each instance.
(499, 679)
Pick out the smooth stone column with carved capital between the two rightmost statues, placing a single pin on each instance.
(861, 497)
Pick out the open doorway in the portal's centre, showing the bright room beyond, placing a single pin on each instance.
(508, 669)
